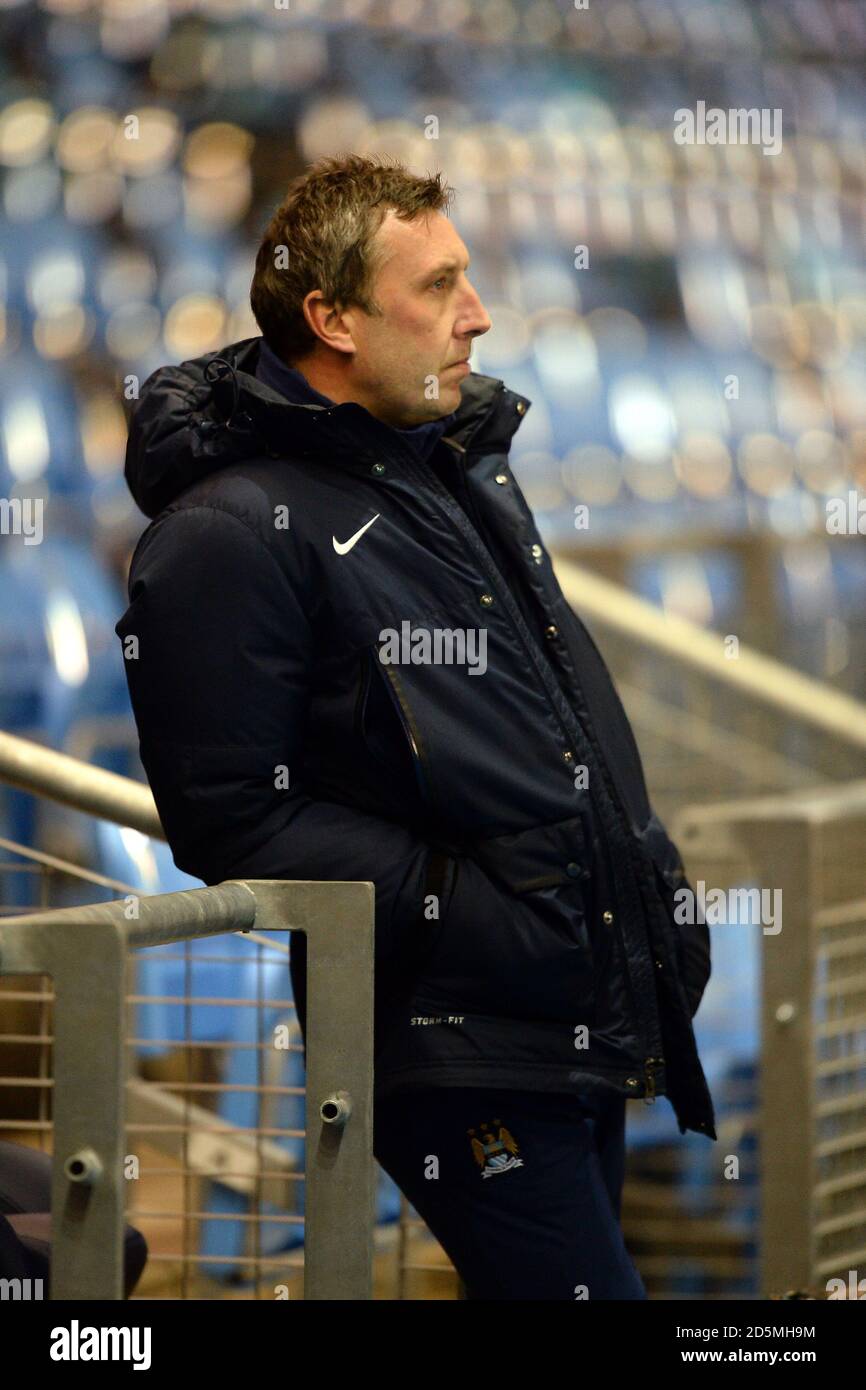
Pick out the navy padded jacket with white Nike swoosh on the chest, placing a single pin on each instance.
(515, 797)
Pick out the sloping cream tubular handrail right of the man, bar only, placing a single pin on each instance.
(700, 650)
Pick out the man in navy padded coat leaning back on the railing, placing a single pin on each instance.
(450, 728)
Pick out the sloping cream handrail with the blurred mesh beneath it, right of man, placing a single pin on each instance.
(715, 719)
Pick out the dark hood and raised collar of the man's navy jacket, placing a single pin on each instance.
(209, 412)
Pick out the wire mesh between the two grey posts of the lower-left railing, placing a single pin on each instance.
(218, 1121)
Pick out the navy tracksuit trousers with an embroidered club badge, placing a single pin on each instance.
(522, 1189)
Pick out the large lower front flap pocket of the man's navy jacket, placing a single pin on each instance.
(514, 939)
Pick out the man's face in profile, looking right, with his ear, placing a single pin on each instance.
(404, 366)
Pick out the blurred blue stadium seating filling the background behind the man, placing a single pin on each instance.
(700, 387)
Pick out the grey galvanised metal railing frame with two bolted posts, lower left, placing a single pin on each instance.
(85, 951)
